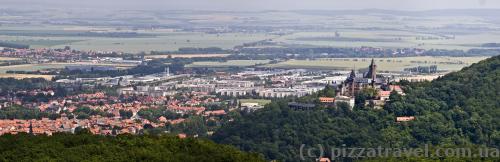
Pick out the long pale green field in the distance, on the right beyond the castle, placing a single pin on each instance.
(391, 39)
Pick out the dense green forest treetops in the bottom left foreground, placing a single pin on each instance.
(86, 147)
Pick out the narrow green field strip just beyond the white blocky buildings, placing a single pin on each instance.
(239, 63)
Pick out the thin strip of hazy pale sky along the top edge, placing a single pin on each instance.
(255, 5)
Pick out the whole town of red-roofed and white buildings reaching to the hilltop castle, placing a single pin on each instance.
(129, 104)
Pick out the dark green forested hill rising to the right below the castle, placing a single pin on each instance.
(458, 110)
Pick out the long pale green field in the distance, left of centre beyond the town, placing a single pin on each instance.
(165, 42)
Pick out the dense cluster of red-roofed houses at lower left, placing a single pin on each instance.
(112, 124)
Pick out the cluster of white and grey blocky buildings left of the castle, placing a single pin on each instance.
(262, 84)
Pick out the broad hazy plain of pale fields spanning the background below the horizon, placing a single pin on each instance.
(294, 27)
